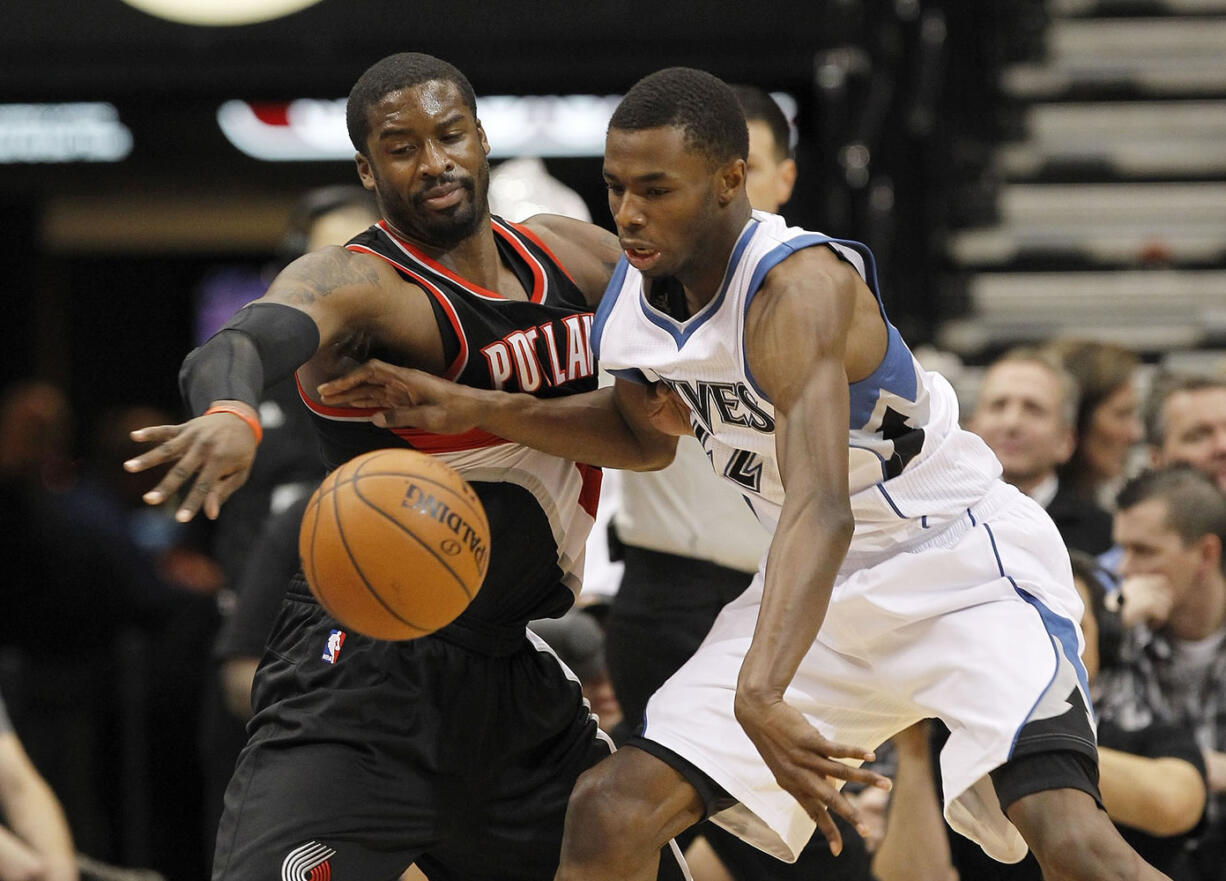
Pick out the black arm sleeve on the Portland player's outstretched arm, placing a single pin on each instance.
(261, 346)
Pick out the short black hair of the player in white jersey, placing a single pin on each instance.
(695, 101)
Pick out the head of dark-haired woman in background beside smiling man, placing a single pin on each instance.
(1108, 425)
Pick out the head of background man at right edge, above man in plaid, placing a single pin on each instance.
(1186, 422)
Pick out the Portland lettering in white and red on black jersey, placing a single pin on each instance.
(551, 355)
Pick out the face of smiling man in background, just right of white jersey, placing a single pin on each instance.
(1019, 415)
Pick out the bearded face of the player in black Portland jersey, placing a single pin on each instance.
(427, 165)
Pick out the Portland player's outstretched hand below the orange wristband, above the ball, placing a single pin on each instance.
(216, 449)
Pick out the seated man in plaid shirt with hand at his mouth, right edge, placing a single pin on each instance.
(1171, 525)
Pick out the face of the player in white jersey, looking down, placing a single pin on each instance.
(664, 199)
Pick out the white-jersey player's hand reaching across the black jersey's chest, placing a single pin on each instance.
(405, 398)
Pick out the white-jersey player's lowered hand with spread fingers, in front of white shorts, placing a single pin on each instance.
(807, 765)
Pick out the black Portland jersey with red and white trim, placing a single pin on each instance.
(540, 507)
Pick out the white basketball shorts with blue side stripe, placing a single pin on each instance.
(975, 627)
